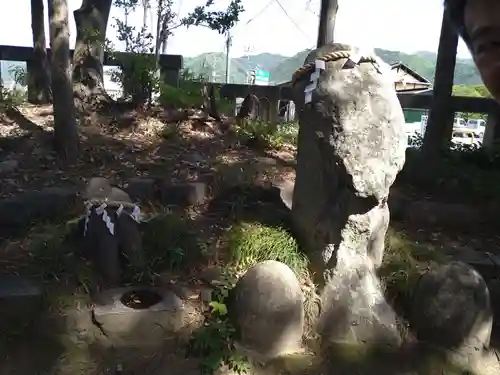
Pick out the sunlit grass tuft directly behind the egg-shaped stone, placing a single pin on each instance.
(251, 243)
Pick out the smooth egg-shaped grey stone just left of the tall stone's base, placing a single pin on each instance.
(267, 308)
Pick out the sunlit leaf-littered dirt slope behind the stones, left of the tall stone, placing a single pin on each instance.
(118, 147)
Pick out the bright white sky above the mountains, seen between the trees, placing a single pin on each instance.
(402, 25)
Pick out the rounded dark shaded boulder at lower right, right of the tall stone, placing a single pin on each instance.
(451, 309)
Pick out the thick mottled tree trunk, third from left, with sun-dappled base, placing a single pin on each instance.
(91, 22)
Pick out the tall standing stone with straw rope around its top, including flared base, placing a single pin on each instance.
(351, 146)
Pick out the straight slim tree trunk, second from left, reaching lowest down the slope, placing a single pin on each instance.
(65, 131)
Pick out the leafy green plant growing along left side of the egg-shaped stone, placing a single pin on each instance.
(214, 341)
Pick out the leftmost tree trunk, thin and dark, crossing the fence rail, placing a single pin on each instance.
(38, 68)
